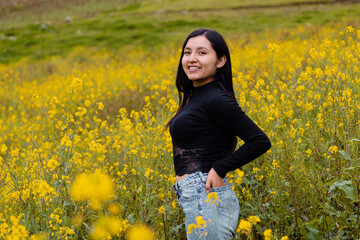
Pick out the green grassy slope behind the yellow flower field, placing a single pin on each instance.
(36, 29)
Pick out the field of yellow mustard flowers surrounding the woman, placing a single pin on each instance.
(84, 153)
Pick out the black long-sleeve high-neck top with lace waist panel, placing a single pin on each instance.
(200, 133)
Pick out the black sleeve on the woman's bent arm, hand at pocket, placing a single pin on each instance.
(226, 112)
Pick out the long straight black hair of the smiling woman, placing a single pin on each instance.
(223, 75)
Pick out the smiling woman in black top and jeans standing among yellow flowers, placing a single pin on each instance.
(204, 132)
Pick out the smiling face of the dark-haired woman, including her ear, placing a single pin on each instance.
(200, 61)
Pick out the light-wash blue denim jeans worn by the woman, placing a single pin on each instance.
(221, 216)
